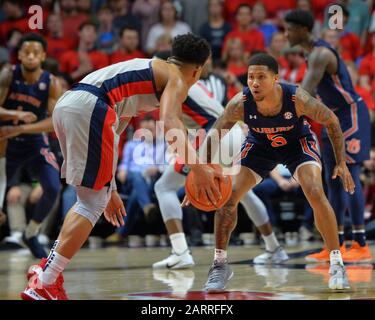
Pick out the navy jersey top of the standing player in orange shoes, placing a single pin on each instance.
(336, 90)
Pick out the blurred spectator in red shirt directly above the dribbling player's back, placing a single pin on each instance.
(129, 46)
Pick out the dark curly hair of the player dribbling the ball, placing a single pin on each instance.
(189, 48)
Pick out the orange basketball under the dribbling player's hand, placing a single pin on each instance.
(224, 187)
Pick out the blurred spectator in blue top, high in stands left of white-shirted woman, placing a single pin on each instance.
(106, 34)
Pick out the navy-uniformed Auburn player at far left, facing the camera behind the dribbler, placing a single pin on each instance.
(27, 87)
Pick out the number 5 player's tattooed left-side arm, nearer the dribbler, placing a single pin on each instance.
(233, 112)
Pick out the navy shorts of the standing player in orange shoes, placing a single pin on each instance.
(356, 127)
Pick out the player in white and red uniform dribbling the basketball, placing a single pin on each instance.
(88, 120)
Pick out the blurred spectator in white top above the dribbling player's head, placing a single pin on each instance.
(168, 23)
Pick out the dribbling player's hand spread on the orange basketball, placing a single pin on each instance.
(206, 188)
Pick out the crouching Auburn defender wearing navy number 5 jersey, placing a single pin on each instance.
(278, 133)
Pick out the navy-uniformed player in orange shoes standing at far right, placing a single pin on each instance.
(328, 78)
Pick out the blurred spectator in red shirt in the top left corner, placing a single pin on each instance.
(14, 19)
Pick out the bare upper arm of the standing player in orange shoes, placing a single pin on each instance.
(318, 62)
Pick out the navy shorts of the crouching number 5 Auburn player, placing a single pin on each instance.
(262, 159)
